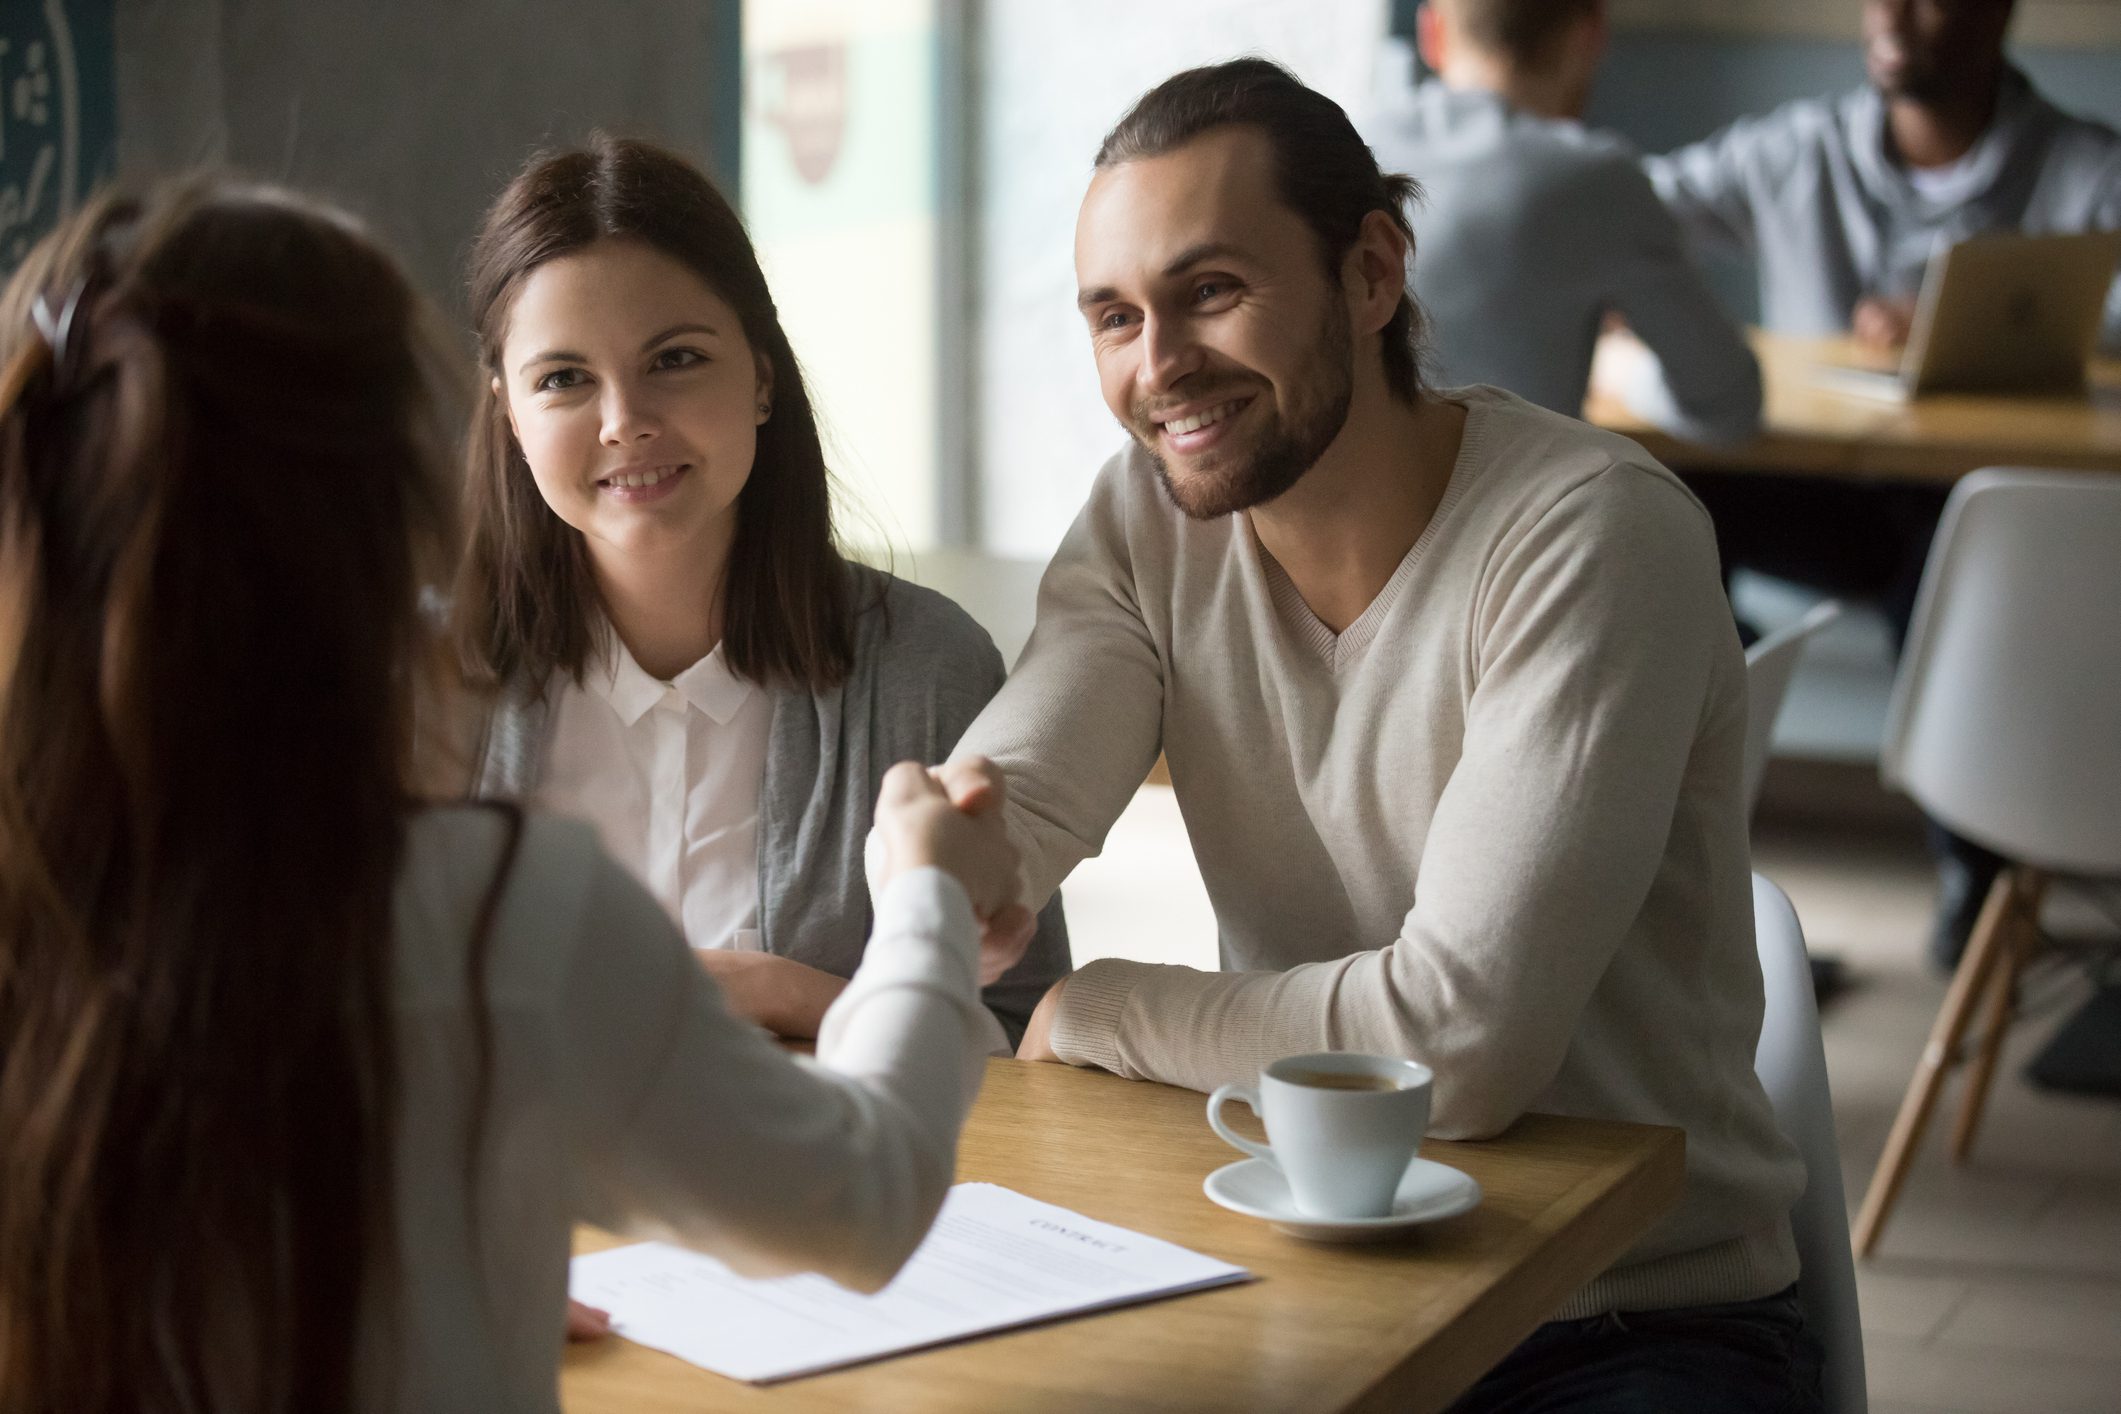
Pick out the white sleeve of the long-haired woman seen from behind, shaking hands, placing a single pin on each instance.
(697, 1127)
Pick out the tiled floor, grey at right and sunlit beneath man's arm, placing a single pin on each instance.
(1997, 1288)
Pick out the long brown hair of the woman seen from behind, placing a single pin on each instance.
(217, 499)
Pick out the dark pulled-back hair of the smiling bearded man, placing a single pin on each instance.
(1325, 173)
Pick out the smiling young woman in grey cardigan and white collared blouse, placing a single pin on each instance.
(654, 597)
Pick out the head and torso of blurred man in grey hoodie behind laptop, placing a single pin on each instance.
(1842, 200)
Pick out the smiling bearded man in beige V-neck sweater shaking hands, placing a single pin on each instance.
(1452, 705)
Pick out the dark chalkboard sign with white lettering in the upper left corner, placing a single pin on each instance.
(58, 116)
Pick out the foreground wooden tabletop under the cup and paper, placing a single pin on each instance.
(1325, 1328)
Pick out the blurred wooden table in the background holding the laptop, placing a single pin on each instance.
(1815, 431)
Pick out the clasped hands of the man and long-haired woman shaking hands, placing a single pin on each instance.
(951, 819)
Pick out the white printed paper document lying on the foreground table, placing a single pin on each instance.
(994, 1260)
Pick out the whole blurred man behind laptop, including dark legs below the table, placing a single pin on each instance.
(1842, 202)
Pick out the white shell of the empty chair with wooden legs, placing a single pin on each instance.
(2005, 718)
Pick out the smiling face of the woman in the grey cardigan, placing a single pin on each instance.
(635, 397)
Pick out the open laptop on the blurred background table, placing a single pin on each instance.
(1997, 315)
